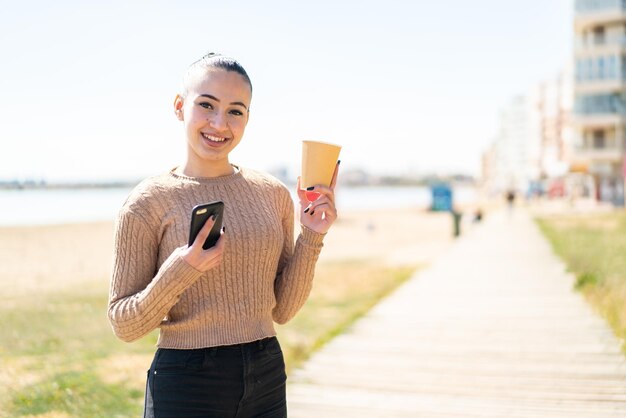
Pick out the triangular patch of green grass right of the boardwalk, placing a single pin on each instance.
(594, 249)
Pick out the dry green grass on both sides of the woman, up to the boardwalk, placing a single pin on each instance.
(60, 358)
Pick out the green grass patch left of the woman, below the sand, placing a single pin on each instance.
(56, 347)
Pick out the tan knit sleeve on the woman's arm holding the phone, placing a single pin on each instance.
(140, 294)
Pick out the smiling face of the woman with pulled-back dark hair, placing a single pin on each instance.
(215, 113)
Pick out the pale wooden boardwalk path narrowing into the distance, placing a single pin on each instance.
(491, 329)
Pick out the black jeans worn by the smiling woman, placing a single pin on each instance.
(235, 381)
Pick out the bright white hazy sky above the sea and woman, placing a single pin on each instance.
(406, 87)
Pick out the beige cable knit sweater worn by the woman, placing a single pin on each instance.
(263, 277)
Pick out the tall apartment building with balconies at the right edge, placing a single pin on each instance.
(599, 119)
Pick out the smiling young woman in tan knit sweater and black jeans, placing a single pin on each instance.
(217, 352)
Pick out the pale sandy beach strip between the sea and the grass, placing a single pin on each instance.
(47, 258)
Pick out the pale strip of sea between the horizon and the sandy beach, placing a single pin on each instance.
(62, 206)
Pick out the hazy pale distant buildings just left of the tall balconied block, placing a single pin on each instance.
(533, 147)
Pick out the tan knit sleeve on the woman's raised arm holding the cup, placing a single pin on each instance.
(296, 267)
